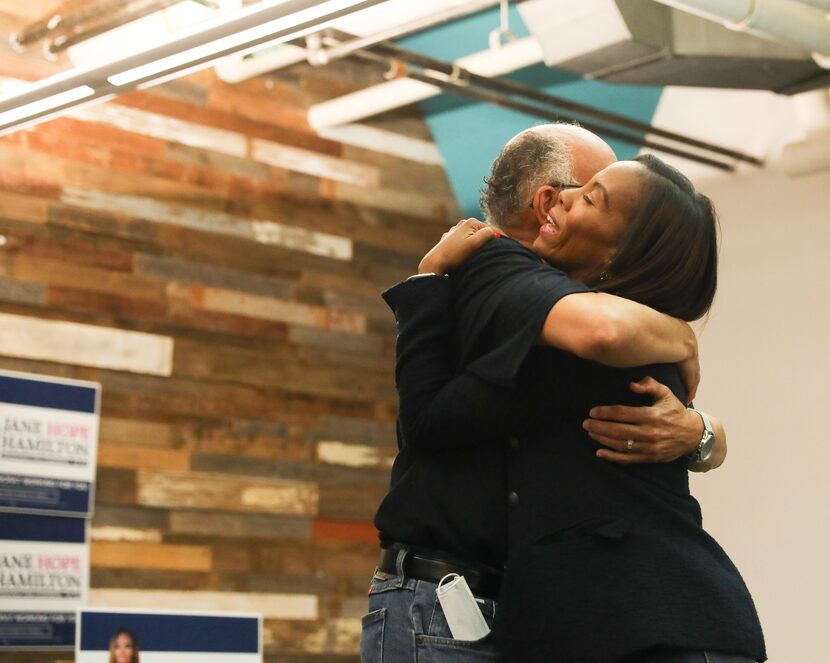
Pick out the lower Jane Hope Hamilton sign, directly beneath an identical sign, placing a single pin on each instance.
(44, 579)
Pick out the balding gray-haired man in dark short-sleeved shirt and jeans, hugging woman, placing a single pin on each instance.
(448, 510)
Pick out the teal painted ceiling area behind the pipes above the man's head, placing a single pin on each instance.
(470, 134)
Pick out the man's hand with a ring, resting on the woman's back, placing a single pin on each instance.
(660, 433)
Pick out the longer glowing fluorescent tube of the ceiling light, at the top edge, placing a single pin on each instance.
(221, 47)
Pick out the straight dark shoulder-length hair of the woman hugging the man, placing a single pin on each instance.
(668, 256)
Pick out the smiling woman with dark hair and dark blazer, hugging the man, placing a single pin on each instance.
(606, 562)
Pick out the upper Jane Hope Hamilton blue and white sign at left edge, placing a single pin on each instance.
(48, 444)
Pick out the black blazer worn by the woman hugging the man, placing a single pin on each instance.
(604, 561)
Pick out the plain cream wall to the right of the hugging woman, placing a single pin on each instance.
(766, 373)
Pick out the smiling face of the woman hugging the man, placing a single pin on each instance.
(587, 223)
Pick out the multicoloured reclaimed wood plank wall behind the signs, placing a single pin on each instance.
(217, 266)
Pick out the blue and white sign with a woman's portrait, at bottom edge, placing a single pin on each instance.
(168, 637)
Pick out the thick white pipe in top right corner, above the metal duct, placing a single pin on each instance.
(790, 21)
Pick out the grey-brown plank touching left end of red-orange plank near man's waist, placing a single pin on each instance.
(240, 525)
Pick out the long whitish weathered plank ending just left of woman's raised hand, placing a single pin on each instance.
(262, 231)
